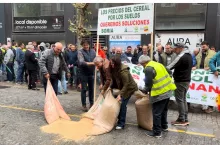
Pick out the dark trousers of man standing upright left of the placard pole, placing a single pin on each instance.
(87, 80)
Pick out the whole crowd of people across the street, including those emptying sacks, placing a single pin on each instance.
(72, 65)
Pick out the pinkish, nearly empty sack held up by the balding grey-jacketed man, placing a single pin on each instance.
(52, 108)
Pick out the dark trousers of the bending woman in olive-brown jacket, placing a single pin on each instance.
(123, 112)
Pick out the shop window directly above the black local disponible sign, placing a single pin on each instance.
(37, 9)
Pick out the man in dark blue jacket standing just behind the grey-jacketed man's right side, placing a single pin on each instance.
(71, 60)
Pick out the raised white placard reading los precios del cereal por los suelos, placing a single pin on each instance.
(131, 19)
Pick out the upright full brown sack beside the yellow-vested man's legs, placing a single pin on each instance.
(144, 113)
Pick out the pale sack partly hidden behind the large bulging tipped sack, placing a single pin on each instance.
(95, 109)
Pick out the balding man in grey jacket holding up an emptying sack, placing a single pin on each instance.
(52, 64)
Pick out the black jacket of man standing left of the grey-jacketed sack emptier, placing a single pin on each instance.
(30, 60)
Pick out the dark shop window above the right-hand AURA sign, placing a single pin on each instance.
(171, 16)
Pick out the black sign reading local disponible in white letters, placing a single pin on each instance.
(33, 24)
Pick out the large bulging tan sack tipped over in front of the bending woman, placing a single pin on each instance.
(107, 117)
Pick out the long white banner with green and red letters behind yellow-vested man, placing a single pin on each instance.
(204, 86)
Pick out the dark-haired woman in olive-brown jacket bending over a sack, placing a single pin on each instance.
(122, 80)
